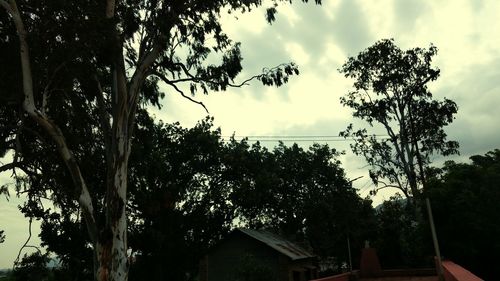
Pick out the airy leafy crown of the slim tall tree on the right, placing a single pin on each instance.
(390, 90)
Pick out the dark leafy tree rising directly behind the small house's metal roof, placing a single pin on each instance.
(303, 194)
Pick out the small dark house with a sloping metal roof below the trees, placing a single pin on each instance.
(247, 254)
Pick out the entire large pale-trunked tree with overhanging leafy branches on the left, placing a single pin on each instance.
(105, 59)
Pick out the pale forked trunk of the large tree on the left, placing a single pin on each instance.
(110, 239)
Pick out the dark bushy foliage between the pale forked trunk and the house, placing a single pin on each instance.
(178, 204)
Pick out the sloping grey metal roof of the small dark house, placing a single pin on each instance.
(278, 243)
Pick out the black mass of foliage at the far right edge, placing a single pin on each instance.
(465, 200)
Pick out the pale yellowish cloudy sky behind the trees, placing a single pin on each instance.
(320, 39)
